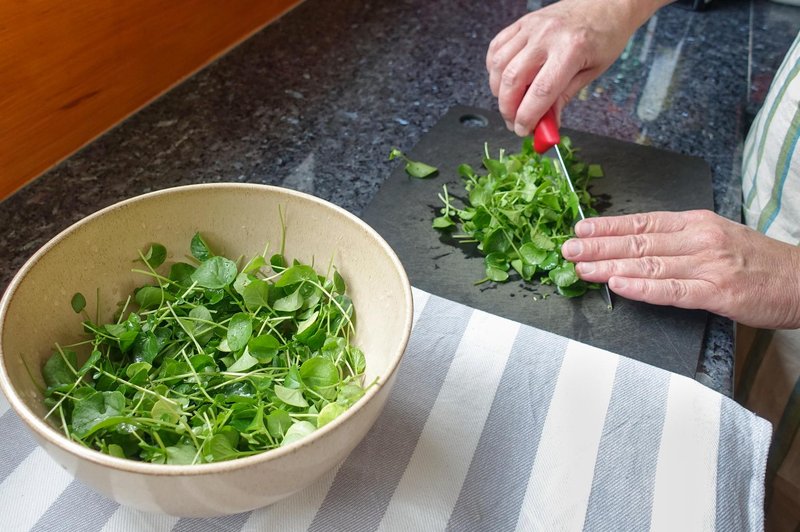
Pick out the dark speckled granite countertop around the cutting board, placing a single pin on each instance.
(316, 100)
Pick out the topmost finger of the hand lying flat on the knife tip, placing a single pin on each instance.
(651, 222)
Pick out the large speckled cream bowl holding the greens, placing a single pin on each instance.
(237, 220)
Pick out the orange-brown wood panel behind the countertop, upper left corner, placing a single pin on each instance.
(71, 70)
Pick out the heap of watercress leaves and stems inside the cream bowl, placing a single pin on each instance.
(210, 361)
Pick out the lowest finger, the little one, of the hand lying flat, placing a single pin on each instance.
(677, 293)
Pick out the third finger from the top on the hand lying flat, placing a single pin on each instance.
(657, 267)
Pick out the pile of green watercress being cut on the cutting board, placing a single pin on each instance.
(520, 213)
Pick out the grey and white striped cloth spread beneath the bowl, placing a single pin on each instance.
(491, 425)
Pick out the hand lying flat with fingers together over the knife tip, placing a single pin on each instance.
(692, 259)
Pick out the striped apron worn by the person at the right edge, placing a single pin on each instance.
(768, 362)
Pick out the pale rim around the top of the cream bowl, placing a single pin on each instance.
(45, 431)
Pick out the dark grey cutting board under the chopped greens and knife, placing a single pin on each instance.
(637, 179)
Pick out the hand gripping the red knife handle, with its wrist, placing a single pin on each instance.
(547, 56)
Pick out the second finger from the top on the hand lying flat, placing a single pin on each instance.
(630, 247)
